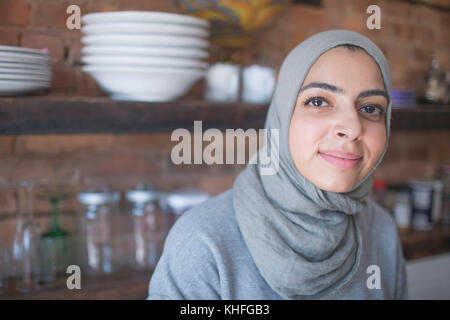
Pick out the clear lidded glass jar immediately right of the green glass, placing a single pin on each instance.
(99, 226)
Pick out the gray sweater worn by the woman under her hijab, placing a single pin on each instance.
(205, 257)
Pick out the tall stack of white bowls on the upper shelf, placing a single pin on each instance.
(145, 55)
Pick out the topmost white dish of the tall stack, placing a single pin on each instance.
(142, 16)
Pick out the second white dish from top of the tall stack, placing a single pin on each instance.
(139, 28)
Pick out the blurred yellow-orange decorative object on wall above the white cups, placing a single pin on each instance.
(234, 22)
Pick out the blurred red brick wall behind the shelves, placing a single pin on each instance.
(409, 33)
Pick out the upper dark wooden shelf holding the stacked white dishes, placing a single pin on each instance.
(74, 115)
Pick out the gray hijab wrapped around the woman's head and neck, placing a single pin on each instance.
(305, 241)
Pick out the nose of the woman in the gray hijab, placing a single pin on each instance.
(348, 125)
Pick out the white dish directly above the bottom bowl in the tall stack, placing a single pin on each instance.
(143, 61)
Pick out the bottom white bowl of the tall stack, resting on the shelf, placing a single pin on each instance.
(144, 83)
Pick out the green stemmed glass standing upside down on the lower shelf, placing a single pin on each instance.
(55, 243)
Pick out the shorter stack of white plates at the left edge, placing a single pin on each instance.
(23, 70)
